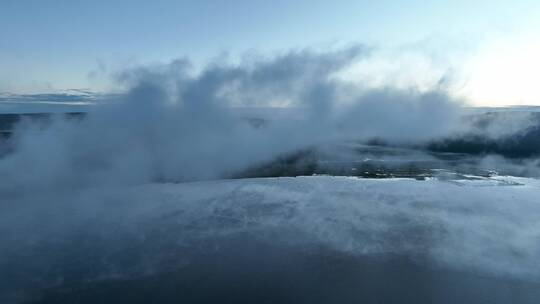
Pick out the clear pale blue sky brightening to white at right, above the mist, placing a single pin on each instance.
(488, 47)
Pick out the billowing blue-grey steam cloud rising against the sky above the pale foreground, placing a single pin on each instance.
(174, 124)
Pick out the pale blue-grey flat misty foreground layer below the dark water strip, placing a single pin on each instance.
(486, 226)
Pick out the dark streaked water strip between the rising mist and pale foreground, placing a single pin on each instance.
(368, 161)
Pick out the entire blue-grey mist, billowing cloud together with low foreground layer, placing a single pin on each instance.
(109, 177)
